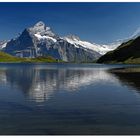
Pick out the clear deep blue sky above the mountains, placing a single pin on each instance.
(94, 22)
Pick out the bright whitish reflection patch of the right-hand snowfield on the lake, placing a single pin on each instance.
(87, 78)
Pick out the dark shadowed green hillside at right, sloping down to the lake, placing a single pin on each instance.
(128, 52)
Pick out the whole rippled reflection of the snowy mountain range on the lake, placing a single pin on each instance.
(39, 84)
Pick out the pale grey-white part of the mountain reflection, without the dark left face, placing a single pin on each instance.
(65, 79)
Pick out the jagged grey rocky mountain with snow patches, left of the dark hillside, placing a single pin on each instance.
(40, 40)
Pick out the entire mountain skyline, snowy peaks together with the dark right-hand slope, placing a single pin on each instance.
(41, 41)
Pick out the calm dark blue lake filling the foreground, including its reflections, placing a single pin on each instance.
(64, 99)
